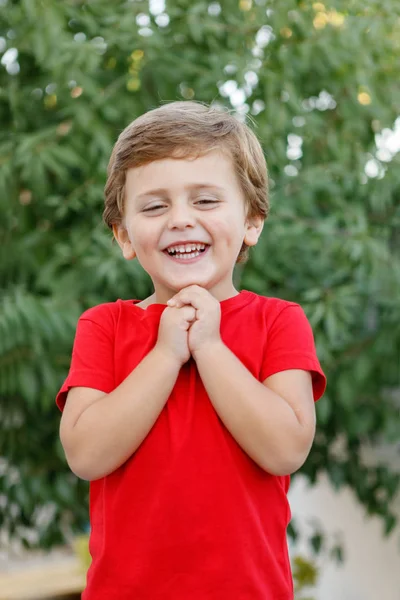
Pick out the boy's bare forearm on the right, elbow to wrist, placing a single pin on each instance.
(262, 423)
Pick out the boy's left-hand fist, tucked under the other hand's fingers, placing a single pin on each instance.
(173, 332)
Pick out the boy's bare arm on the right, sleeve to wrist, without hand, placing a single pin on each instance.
(273, 422)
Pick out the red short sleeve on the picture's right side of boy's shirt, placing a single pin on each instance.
(290, 345)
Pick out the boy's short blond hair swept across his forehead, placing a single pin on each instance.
(183, 130)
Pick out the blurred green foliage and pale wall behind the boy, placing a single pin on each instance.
(319, 82)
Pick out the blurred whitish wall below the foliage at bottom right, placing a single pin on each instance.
(371, 570)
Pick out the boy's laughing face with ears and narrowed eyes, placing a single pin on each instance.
(185, 221)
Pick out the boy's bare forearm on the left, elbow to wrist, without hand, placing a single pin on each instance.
(109, 431)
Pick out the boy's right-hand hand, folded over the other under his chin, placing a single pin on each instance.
(204, 330)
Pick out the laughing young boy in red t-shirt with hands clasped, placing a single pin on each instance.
(188, 411)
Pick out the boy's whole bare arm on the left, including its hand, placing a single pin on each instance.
(98, 431)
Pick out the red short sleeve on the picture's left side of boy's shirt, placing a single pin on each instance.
(92, 362)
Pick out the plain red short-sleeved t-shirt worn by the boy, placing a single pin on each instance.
(190, 515)
